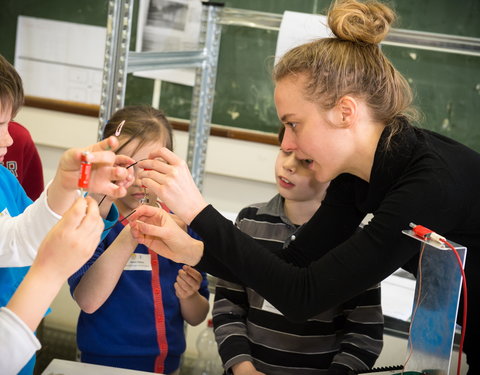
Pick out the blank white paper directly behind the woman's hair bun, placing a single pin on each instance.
(299, 28)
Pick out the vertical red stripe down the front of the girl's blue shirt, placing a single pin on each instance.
(158, 313)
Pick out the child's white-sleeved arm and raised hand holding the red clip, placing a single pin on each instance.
(21, 235)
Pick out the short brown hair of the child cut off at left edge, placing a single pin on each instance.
(11, 87)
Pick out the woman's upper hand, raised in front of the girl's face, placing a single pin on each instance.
(169, 178)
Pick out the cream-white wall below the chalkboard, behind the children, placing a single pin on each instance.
(237, 173)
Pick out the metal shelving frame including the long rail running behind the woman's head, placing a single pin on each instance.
(119, 61)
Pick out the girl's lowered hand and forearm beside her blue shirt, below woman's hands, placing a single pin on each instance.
(193, 305)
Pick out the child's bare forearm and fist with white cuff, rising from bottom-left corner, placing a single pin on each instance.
(67, 246)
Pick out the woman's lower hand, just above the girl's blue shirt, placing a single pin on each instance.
(155, 228)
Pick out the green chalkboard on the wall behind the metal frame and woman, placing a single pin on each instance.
(447, 86)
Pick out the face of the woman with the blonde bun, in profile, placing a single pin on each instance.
(308, 132)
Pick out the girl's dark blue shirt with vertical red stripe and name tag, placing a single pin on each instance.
(140, 325)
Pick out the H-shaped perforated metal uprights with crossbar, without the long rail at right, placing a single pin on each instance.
(119, 61)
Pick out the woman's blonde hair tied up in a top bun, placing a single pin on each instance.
(352, 63)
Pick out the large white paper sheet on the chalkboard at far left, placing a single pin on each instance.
(60, 60)
